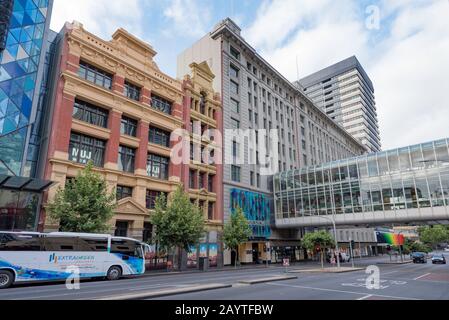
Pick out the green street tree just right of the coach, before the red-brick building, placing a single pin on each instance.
(178, 222)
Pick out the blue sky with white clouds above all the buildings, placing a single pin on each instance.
(402, 44)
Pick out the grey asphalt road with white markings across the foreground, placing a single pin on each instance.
(409, 281)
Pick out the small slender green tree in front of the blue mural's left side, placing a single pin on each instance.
(236, 232)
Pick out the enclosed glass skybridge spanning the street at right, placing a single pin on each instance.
(409, 184)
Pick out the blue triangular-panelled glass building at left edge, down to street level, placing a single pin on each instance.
(25, 54)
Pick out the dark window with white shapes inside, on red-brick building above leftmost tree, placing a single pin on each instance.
(83, 148)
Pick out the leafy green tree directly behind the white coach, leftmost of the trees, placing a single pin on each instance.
(84, 205)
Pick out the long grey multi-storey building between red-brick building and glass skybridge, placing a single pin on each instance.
(256, 96)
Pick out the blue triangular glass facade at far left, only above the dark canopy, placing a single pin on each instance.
(21, 71)
